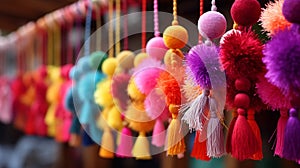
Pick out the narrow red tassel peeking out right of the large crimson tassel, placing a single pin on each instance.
(251, 120)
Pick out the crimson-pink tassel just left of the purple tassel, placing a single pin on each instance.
(280, 132)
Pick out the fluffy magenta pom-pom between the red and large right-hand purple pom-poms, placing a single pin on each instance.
(271, 95)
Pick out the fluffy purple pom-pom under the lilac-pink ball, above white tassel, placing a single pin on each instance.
(203, 62)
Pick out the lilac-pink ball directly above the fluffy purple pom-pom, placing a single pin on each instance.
(212, 25)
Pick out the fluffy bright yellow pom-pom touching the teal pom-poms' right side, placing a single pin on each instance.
(102, 94)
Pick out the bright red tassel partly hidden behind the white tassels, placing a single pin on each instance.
(199, 149)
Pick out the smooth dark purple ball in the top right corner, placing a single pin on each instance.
(290, 10)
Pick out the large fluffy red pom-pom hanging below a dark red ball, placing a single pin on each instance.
(241, 54)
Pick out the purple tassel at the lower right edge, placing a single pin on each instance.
(291, 148)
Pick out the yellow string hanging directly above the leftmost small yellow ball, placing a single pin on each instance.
(110, 29)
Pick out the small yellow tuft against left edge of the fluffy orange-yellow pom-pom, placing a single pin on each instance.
(114, 119)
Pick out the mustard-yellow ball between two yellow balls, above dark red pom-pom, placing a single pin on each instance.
(125, 60)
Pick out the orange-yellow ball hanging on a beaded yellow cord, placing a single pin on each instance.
(175, 37)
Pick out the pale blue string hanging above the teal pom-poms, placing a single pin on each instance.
(87, 31)
